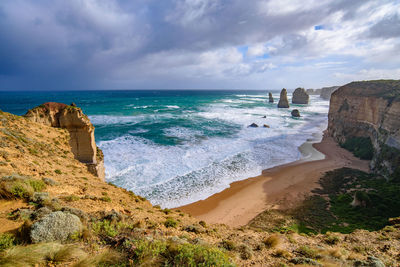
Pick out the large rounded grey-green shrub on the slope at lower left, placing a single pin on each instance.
(56, 226)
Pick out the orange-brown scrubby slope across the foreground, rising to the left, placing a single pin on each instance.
(43, 186)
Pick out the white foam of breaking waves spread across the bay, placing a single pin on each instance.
(176, 175)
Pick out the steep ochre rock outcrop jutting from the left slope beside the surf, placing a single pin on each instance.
(80, 129)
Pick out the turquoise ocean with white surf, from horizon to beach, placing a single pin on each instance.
(176, 147)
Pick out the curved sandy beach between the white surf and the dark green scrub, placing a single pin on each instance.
(279, 187)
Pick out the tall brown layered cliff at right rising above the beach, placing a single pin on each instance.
(369, 109)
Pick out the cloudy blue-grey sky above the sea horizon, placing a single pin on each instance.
(196, 44)
